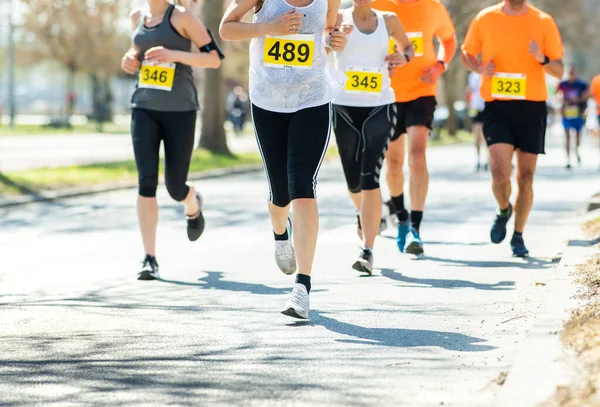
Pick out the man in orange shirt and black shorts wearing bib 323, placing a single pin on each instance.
(518, 44)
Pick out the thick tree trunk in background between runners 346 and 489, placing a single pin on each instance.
(212, 136)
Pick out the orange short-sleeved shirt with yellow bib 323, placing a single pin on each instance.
(505, 39)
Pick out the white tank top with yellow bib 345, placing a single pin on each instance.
(363, 65)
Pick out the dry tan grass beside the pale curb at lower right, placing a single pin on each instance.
(582, 334)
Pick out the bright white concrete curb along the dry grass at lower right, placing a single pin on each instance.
(542, 363)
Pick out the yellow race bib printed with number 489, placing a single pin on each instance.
(290, 51)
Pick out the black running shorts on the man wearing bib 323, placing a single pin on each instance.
(520, 123)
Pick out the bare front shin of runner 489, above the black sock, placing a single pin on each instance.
(306, 230)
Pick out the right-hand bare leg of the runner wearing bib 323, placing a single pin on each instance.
(526, 164)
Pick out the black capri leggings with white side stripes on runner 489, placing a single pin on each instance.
(292, 146)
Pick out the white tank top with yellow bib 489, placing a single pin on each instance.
(302, 77)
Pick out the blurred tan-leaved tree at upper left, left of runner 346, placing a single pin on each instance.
(81, 35)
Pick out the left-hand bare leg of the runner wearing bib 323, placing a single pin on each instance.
(501, 168)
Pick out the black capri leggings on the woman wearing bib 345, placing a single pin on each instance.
(363, 135)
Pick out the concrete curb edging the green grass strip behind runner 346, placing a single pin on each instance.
(117, 186)
